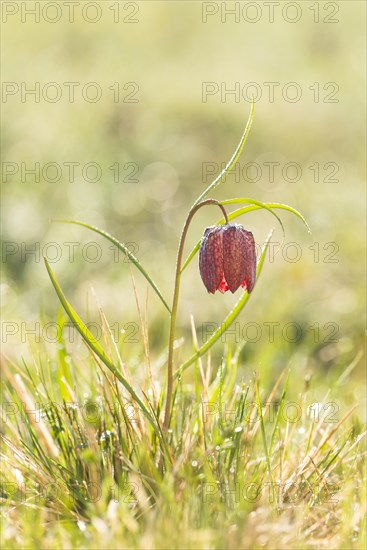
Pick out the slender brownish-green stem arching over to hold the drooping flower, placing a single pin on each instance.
(194, 209)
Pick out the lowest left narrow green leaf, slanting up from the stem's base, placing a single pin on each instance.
(93, 344)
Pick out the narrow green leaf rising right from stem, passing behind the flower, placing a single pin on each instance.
(228, 320)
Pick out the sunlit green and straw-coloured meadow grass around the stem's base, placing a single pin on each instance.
(247, 466)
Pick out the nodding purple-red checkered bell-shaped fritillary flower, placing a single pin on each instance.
(227, 258)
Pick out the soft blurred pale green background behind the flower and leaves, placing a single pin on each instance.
(168, 53)
